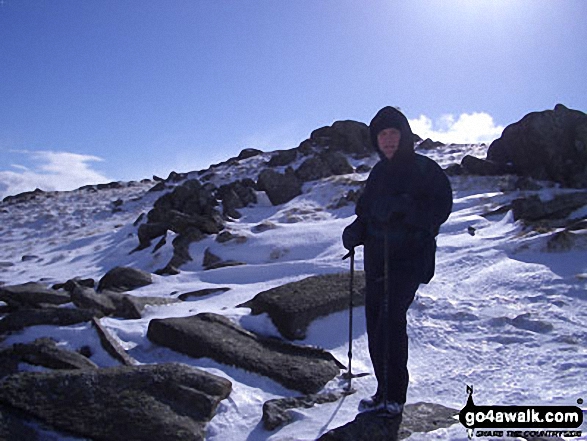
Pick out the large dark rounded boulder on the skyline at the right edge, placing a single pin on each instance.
(548, 145)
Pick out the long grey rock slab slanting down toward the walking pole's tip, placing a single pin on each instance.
(210, 335)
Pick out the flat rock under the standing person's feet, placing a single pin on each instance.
(416, 418)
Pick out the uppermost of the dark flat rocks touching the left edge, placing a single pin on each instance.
(32, 295)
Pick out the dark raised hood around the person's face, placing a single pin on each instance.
(387, 118)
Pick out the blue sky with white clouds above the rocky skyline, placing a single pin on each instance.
(123, 89)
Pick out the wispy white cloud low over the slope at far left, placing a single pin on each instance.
(50, 171)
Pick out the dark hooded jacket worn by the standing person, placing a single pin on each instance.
(408, 198)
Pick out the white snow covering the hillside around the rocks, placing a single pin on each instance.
(501, 314)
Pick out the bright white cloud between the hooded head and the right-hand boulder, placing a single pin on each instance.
(466, 129)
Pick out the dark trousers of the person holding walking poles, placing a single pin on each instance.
(390, 331)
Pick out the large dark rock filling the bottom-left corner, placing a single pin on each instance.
(149, 402)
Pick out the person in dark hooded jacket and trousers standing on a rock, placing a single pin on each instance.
(406, 199)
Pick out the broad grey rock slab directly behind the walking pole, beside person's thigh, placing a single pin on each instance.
(292, 307)
